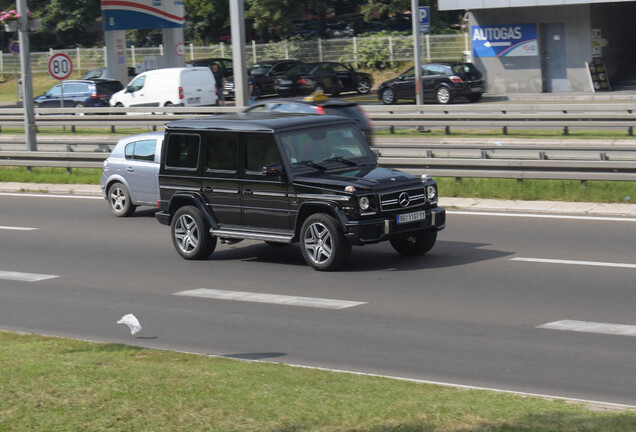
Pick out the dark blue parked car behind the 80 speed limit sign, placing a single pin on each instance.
(79, 93)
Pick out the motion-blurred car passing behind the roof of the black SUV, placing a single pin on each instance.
(318, 104)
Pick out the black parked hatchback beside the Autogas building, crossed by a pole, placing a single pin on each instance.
(443, 81)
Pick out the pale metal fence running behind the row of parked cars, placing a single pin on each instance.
(350, 50)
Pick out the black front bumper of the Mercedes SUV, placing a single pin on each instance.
(386, 228)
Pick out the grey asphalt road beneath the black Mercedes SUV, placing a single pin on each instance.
(467, 313)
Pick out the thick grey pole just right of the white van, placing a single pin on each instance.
(237, 22)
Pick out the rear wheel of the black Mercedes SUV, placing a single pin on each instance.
(191, 234)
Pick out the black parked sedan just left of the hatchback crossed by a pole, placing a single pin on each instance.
(325, 77)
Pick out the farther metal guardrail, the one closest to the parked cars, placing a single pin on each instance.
(566, 116)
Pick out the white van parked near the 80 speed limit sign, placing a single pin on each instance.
(193, 86)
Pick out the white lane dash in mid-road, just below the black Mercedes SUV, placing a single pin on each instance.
(269, 298)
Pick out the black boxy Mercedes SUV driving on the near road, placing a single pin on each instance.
(286, 178)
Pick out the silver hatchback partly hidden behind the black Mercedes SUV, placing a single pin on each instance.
(129, 177)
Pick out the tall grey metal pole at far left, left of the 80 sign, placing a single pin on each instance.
(27, 85)
